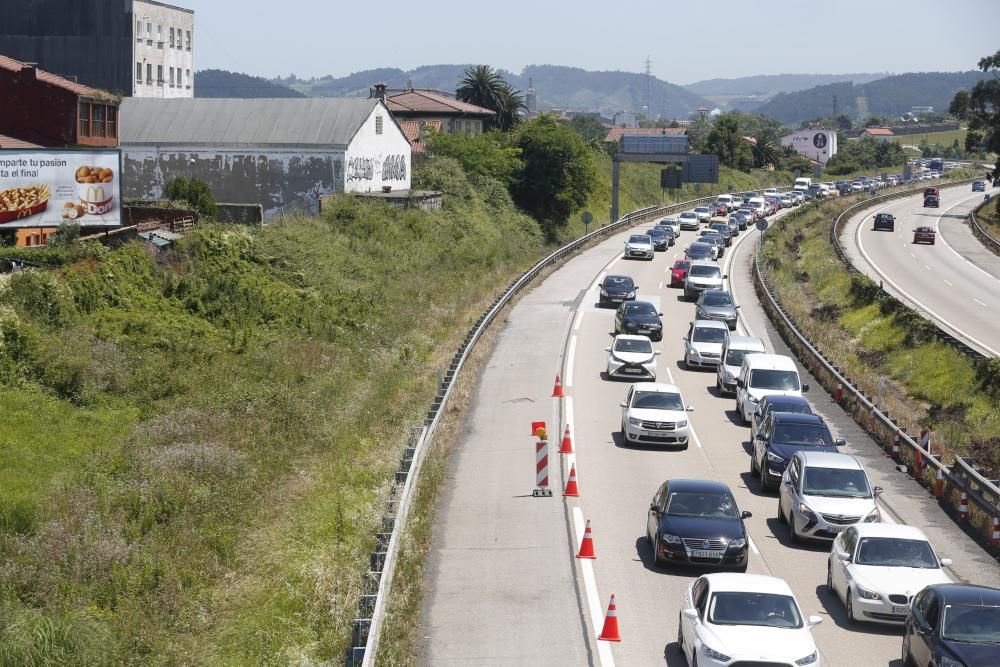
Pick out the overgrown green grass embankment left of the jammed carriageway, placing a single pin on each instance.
(197, 445)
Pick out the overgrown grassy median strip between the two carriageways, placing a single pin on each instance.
(931, 384)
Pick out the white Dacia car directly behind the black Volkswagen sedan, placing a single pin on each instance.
(655, 414)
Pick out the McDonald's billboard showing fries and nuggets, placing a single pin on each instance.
(43, 188)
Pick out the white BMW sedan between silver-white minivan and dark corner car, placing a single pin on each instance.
(877, 568)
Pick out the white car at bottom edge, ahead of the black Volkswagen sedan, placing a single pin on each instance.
(728, 618)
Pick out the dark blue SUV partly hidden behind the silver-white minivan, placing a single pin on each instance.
(782, 434)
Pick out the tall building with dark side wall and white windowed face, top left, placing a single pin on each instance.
(138, 48)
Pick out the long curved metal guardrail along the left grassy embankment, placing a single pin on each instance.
(367, 626)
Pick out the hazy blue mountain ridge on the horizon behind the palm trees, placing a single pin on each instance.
(566, 88)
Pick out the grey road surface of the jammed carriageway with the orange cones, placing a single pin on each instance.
(531, 616)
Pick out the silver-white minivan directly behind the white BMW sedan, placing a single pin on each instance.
(822, 493)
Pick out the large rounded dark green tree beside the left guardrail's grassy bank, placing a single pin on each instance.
(558, 174)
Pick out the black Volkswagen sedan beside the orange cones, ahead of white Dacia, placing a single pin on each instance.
(696, 522)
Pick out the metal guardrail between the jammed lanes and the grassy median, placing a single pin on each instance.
(982, 492)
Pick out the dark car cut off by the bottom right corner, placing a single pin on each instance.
(953, 624)
